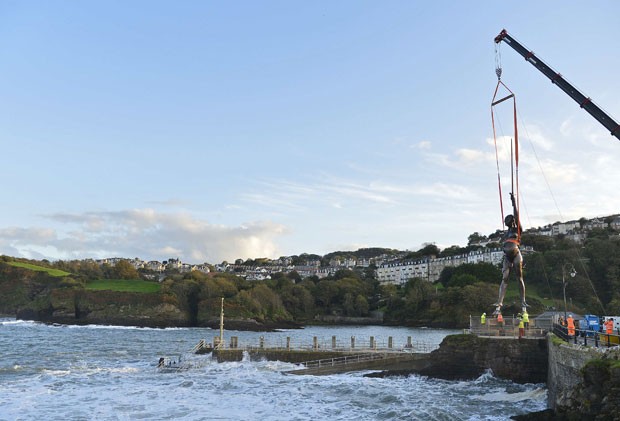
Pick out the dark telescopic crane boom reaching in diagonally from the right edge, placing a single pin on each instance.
(557, 79)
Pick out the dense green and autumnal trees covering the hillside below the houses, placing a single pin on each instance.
(460, 291)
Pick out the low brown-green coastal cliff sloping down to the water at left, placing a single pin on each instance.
(32, 295)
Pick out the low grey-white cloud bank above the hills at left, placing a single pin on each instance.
(143, 233)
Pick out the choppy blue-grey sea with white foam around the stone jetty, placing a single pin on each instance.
(95, 372)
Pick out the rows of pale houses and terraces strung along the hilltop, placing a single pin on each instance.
(392, 268)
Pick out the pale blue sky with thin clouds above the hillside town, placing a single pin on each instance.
(211, 131)
